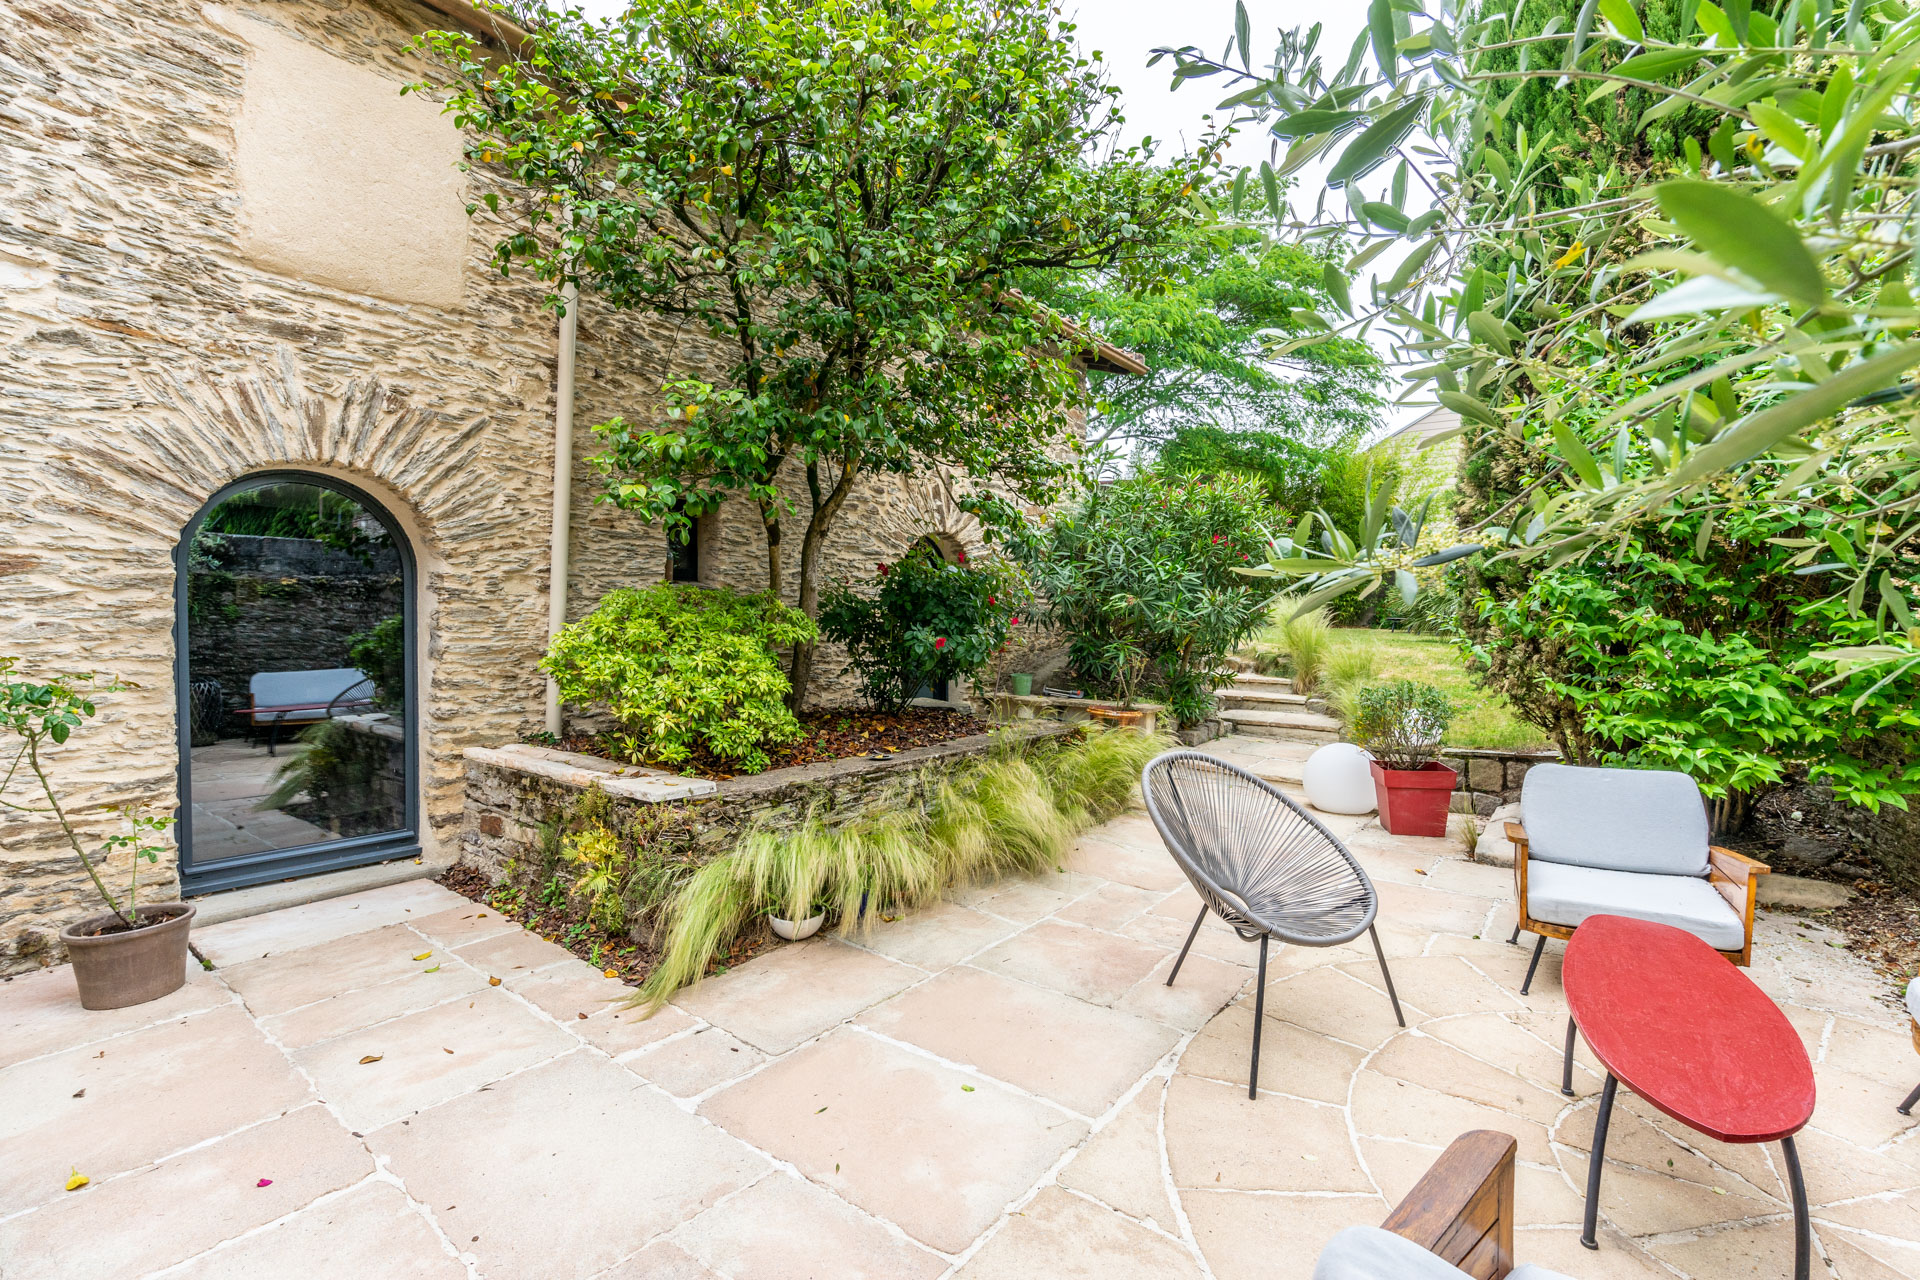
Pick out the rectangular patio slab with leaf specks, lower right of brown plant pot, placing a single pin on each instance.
(489, 1037)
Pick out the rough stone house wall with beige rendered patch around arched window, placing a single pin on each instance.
(174, 316)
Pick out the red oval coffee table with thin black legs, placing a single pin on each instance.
(1683, 1028)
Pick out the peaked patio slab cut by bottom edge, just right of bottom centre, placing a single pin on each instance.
(1068, 1239)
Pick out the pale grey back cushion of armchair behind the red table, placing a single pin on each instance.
(1618, 820)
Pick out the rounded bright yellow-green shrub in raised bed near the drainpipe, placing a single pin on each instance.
(684, 667)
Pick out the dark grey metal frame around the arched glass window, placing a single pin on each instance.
(324, 857)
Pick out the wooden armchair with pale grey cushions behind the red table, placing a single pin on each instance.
(1625, 843)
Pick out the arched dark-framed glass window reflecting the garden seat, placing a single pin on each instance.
(297, 652)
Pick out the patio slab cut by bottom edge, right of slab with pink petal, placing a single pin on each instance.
(372, 1231)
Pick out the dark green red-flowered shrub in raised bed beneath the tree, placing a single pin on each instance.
(923, 621)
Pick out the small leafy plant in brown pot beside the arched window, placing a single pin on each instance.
(130, 953)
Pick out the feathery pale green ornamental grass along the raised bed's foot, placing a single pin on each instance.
(1011, 815)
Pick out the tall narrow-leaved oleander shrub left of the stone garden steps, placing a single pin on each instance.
(1141, 579)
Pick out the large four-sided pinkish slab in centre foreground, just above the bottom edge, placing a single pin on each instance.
(928, 1149)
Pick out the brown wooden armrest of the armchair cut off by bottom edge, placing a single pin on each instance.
(1462, 1208)
